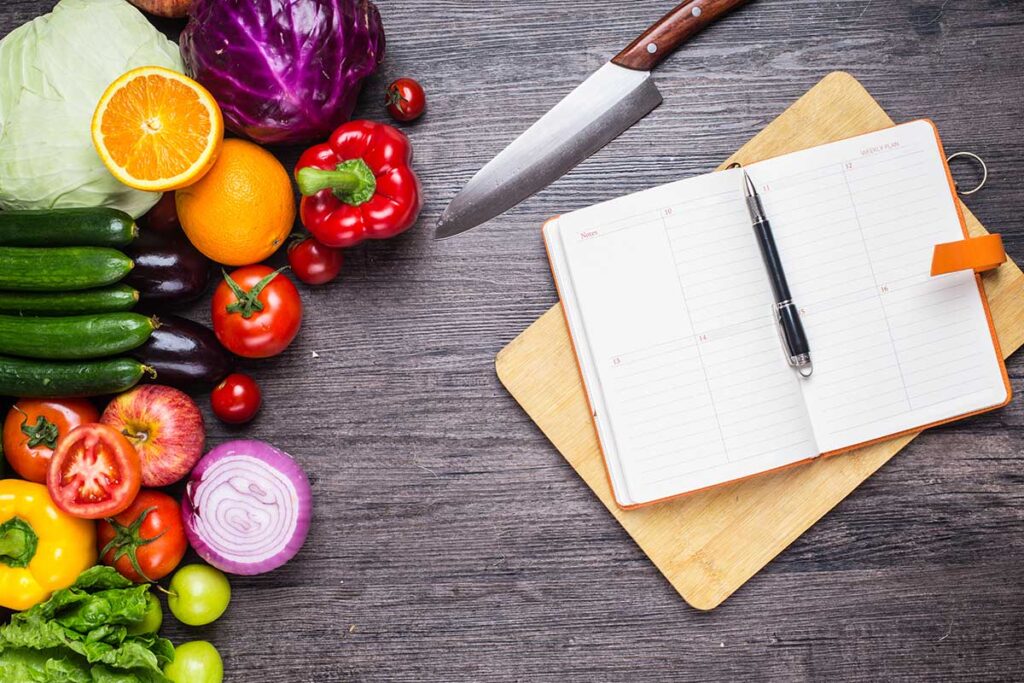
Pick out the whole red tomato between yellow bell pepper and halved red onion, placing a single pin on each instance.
(146, 542)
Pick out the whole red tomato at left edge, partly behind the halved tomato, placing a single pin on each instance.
(33, 429)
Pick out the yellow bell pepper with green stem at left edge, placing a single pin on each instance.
(42, 549)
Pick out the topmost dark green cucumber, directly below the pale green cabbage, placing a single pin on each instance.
(101, 227)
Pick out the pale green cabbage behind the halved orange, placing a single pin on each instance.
(53, 73)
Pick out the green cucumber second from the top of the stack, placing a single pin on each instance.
(61, 269)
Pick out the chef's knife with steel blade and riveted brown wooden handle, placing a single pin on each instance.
(615, 98)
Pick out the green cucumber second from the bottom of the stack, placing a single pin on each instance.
(74, 337)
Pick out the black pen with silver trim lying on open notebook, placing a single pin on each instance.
(787, 314)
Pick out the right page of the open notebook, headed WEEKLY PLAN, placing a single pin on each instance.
(893, 348)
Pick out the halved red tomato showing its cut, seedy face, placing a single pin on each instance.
(95, 473)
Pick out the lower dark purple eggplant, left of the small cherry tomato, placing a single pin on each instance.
(186, 355)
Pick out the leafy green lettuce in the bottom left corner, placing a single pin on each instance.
(80, 635)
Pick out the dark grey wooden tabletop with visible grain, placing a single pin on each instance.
(451, 542)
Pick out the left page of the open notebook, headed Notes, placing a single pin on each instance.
(675, 306)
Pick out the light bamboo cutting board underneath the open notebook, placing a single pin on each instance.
(711, 543)
